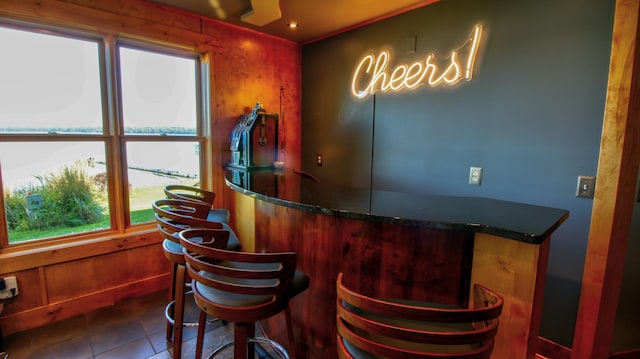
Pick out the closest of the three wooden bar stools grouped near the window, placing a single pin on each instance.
(240, 287)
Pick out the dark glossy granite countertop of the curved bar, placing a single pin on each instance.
(518, 221)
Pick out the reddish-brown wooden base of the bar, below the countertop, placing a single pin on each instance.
(400, 261)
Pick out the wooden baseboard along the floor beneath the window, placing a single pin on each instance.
(62, 310)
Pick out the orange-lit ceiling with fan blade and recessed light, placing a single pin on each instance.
(316, 18)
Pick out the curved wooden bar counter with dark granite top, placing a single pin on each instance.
(391, 244)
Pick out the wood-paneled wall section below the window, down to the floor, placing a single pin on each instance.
(68, 280)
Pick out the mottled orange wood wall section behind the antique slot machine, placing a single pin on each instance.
(248, 68)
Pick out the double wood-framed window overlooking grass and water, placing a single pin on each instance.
(91, 130)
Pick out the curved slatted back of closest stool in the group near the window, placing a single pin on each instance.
(255, 286)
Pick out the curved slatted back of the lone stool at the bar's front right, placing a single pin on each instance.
(373, 328)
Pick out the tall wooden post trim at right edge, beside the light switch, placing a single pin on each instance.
(614, 195)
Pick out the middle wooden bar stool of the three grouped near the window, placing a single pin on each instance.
(172, 216)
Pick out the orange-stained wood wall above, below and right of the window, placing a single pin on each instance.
(56, 282)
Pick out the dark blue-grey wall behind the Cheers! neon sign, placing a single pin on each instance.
(531, 117)
